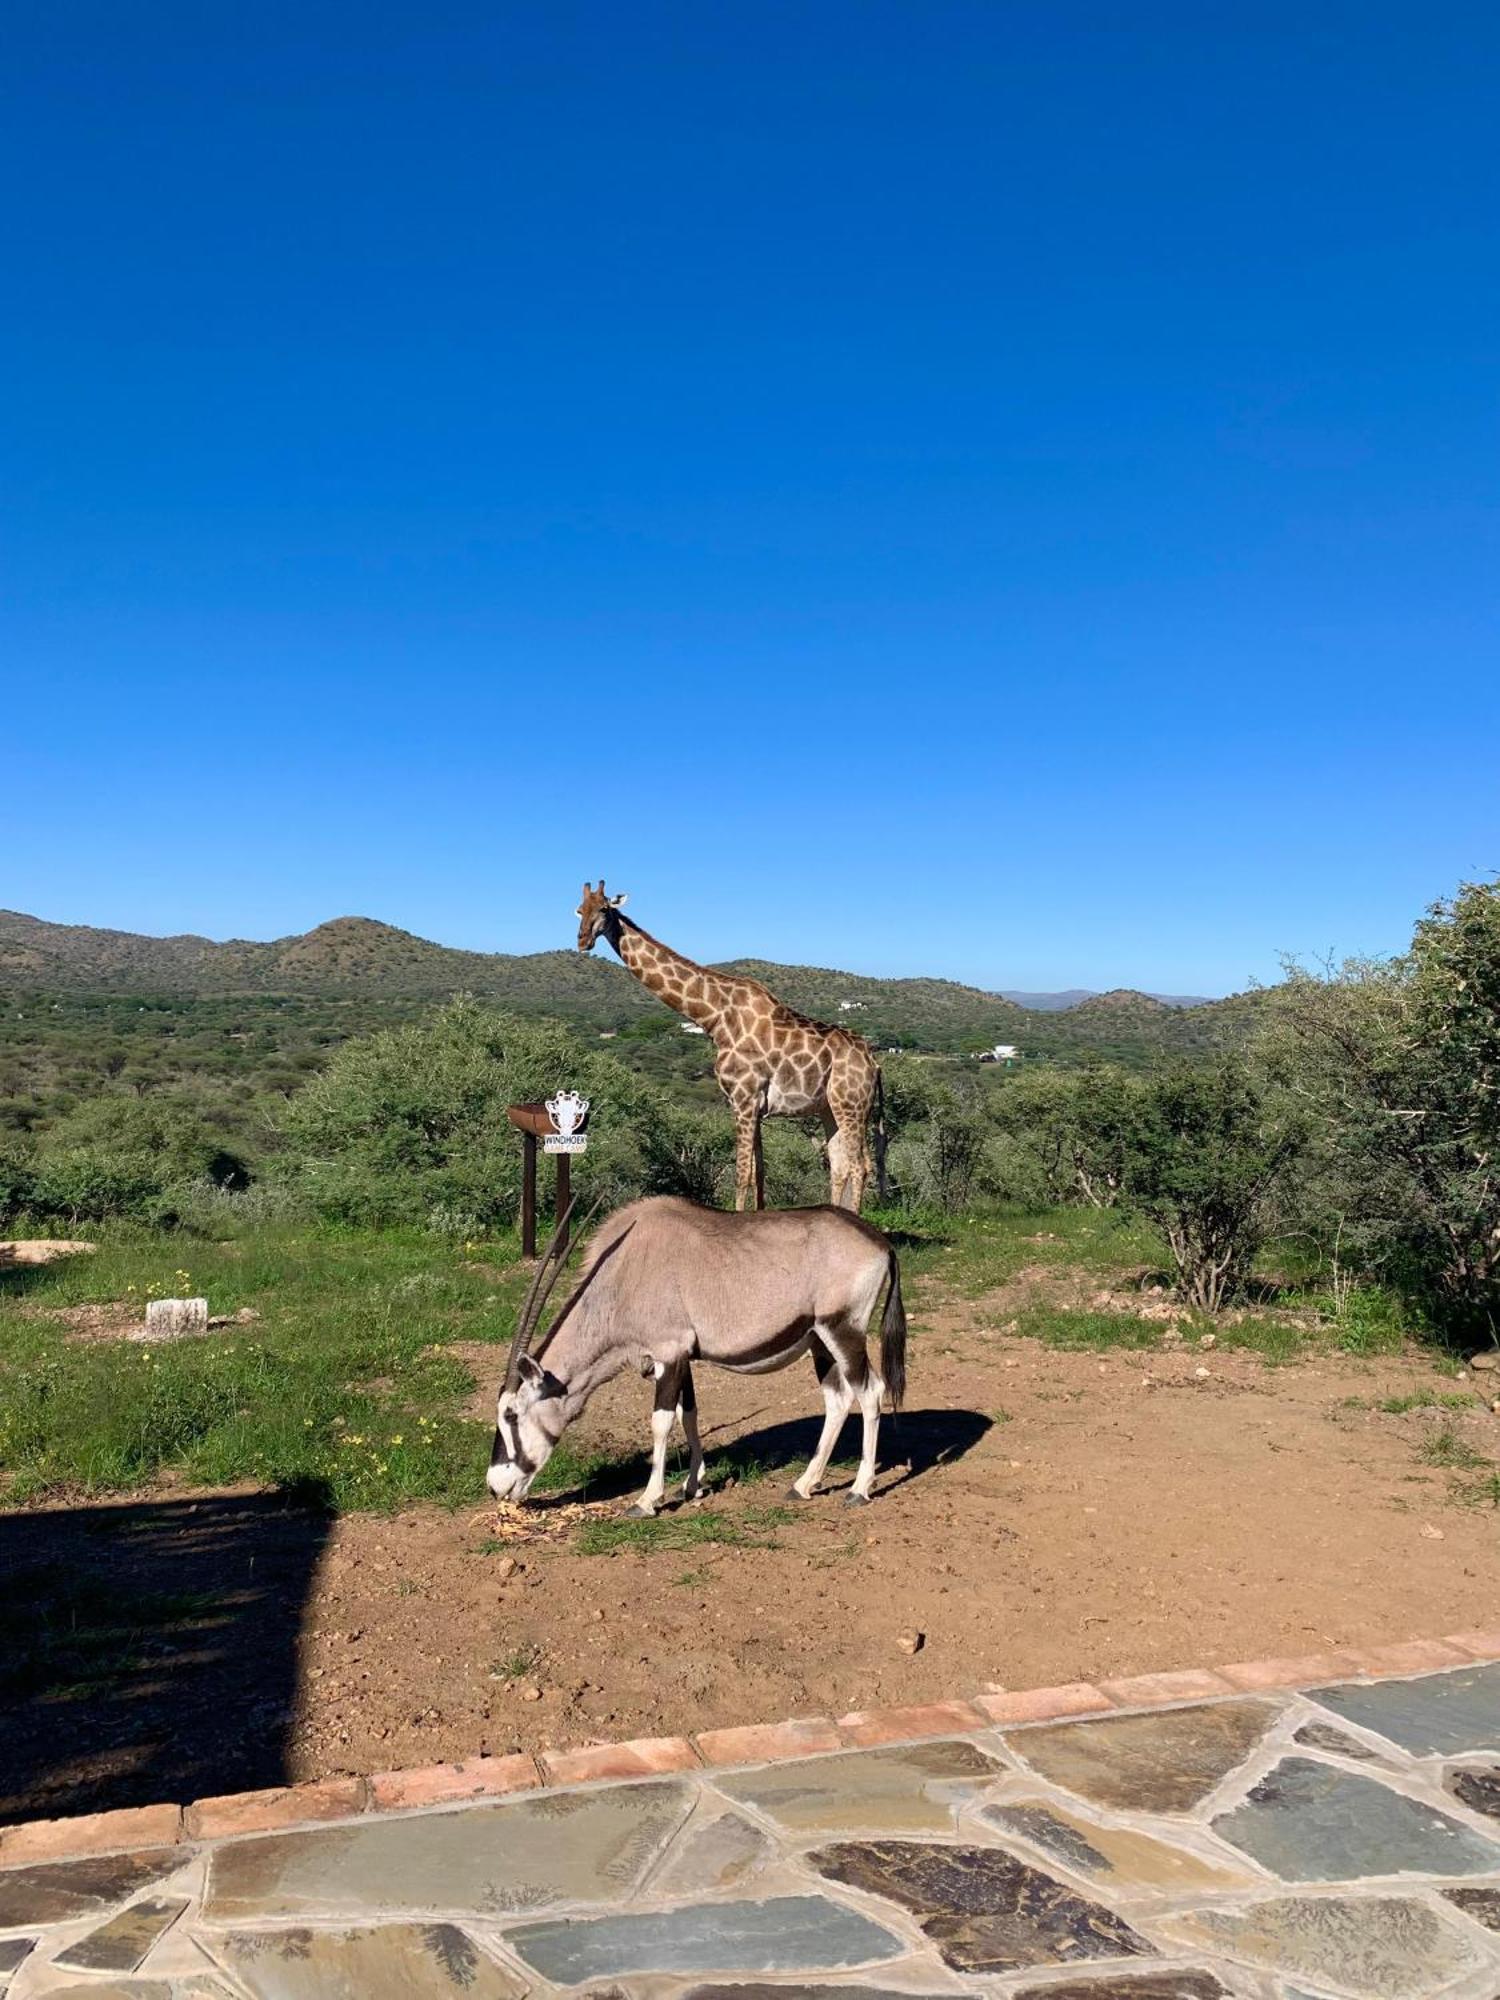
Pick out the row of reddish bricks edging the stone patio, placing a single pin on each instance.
(759, 1743)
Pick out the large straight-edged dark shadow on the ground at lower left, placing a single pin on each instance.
(151, 1649)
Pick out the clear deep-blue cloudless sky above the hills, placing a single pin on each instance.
(973, 489)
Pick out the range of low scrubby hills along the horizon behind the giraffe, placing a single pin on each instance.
(357, 957)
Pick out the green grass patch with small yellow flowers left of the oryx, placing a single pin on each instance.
(341, 1385)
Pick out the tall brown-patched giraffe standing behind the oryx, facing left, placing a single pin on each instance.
(769, 1059)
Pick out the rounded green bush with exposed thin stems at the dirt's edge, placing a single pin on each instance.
(1207, 1157)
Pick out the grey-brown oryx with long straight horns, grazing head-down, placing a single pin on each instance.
(665, 1285)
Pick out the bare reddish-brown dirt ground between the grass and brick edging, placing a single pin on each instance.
(1041, 1517)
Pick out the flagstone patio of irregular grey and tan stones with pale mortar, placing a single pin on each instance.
(1327, 1843)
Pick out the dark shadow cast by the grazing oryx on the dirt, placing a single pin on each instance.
(911, 1445)
